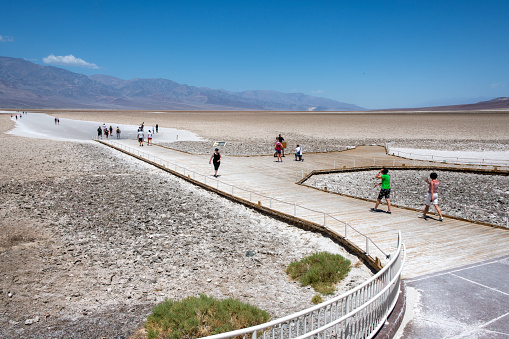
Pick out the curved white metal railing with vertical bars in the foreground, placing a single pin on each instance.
(377, 285)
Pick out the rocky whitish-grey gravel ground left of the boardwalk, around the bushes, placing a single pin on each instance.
(91, 240)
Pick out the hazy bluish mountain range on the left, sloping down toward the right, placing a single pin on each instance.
(24, 84)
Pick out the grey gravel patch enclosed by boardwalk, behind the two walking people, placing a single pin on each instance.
(408, 188)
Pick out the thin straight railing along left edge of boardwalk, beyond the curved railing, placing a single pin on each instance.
(346, 230)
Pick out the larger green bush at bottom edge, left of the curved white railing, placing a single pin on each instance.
(198, 317)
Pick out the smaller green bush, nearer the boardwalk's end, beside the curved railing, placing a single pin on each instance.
(322, 270)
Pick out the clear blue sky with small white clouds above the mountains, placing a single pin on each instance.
(375, 54)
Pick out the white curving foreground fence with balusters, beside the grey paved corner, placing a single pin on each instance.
(358, 313)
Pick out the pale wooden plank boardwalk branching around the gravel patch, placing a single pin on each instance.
(431, 246)
